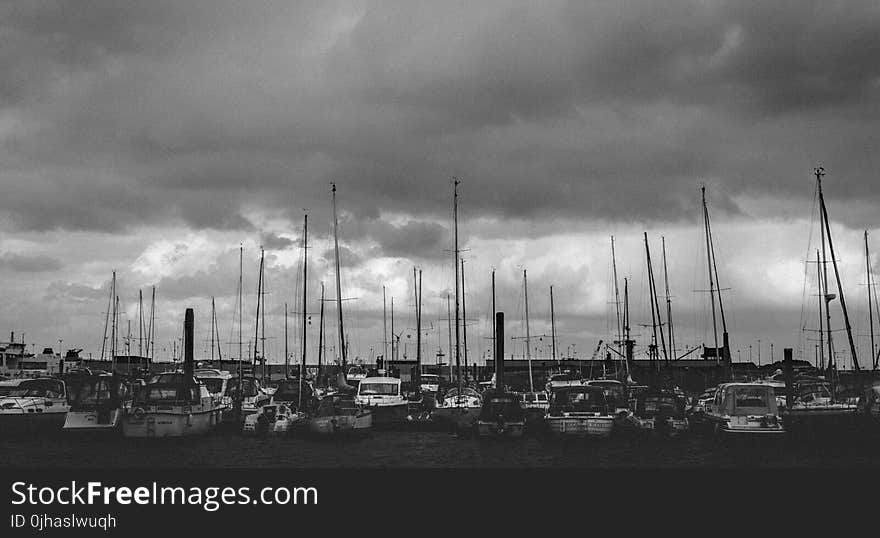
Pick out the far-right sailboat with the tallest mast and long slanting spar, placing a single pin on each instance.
(817, 411)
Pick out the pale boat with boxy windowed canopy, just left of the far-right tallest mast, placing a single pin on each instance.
(744, 410)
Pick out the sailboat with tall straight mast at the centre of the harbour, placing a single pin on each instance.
(461, 405)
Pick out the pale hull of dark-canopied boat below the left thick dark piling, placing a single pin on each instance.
(170, 423)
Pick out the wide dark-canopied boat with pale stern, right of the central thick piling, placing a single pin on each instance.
(579, 411)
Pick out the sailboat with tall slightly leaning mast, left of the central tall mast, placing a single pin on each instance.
(339, 414)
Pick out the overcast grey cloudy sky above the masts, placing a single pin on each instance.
(155, 138)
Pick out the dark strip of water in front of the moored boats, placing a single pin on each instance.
(422, 449)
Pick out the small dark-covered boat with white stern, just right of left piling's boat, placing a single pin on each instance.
(288, 409)
